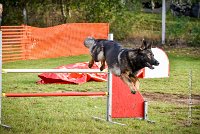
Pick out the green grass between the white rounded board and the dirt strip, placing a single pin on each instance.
(178, 82)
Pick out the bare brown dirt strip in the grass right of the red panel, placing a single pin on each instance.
(172, 98)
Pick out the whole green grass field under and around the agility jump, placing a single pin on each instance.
(65, 115)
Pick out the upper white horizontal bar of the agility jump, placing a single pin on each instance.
(53, 71)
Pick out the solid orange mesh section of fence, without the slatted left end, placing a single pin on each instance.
(63, 40)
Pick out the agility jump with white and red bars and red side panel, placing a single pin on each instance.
(112, 103)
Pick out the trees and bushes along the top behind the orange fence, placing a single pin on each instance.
(48, 13)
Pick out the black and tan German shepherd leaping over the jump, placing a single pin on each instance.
(122, 62)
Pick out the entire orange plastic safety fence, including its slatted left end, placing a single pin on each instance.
(28, 42)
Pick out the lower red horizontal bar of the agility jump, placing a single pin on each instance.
(54, 94)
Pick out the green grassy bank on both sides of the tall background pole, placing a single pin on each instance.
(179, 30)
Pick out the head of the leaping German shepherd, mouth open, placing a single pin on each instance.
(144, 55)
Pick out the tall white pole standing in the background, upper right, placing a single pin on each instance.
(163, 21)
